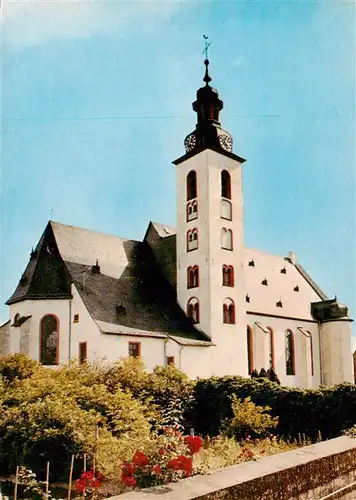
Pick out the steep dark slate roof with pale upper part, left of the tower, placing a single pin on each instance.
(129, 293)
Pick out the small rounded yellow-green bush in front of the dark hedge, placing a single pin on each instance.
(249, 419)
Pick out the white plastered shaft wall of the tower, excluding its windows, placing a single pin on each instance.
(230, 354)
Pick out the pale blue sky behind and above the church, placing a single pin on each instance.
(96, 102)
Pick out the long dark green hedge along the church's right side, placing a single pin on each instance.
(328, 410)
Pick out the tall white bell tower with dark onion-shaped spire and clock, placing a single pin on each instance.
(210, 282)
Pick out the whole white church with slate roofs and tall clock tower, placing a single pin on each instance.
(192, 296)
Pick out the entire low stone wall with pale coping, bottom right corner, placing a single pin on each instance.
(314, 472)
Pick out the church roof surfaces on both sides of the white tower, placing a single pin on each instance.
(135, 288)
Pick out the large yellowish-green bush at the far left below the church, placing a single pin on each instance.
(55, 413)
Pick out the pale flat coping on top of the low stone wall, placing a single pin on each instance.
(197, 486)
